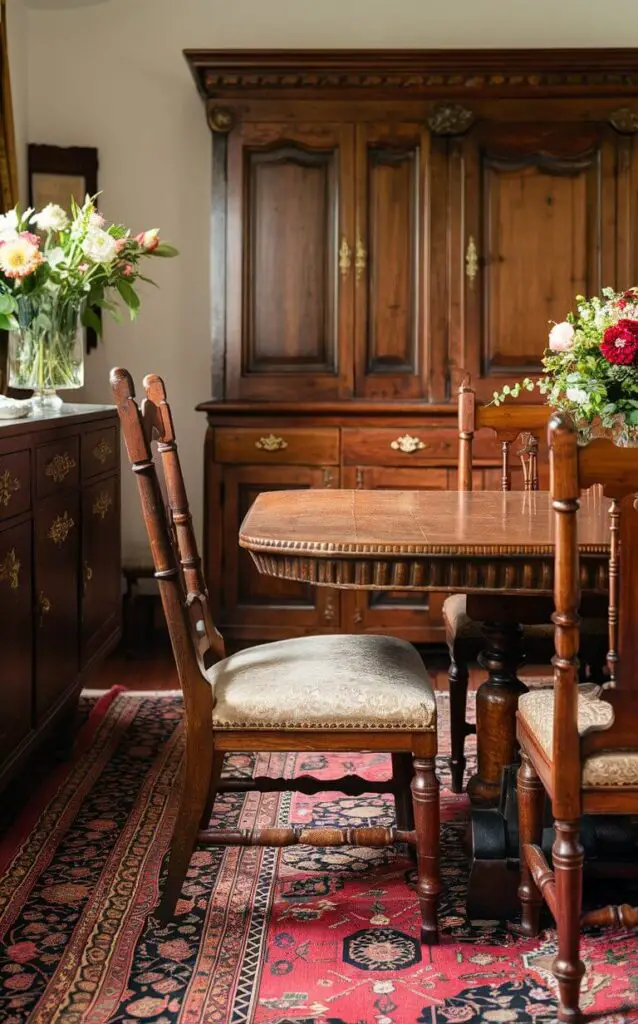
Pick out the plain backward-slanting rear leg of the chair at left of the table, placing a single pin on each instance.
(193, 801)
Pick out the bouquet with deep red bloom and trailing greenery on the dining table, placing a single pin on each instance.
(591, 368)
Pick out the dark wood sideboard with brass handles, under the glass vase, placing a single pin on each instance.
(60, 567)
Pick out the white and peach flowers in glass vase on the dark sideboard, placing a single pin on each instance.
(53, 284)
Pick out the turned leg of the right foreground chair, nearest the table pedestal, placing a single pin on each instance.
(531, 794)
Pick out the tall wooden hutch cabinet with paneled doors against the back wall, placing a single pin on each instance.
(385, 224)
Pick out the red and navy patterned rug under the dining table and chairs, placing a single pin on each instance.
(297, 936)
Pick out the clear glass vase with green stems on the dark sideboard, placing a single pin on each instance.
(47, 354)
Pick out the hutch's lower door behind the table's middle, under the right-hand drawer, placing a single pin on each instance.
(412, 615)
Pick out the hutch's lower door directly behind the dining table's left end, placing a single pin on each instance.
(262, 604)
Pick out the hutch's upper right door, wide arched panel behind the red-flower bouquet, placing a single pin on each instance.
(533, 211)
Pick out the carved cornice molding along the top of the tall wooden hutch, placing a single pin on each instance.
(220, 73)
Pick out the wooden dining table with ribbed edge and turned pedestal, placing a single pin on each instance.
(497, 547)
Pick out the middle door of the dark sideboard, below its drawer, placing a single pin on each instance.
(58, 545)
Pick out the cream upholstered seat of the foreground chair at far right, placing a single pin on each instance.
(608, 769)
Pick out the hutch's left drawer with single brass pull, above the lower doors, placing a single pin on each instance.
(301, 447)
